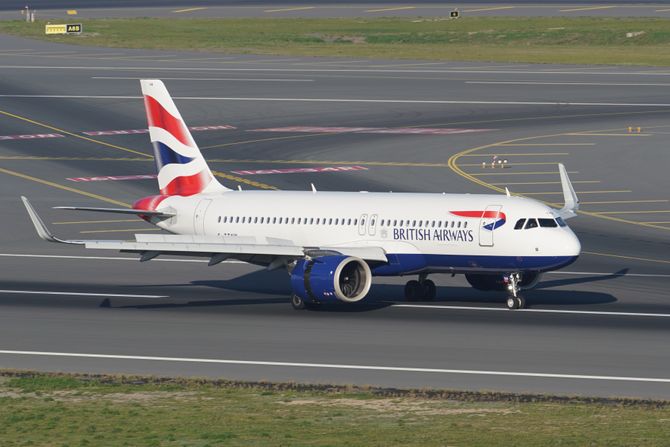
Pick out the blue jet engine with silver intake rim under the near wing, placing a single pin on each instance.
(331, 278)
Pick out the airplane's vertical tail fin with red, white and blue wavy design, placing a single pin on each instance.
(182, 170)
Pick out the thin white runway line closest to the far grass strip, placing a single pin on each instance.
(337, 70)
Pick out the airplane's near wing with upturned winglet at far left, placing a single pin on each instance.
(268, 251)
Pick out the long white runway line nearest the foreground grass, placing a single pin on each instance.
(541, 375)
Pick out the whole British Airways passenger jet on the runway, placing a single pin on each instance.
(333, 243)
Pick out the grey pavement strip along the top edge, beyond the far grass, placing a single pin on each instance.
(50, 9)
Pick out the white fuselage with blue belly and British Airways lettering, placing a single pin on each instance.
(425, 231)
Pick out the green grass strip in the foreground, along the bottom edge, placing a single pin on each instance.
(61, 410)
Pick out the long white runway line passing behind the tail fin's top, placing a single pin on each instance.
(358, 100)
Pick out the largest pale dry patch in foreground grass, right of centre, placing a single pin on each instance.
(415, 406)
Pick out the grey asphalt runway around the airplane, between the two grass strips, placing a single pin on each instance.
(72, 120)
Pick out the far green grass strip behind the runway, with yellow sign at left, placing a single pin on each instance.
(579, 40)
